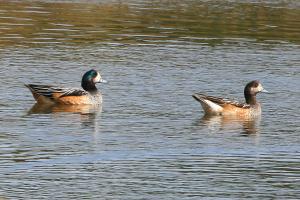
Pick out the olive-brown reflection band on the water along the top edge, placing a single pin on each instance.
(67, 23)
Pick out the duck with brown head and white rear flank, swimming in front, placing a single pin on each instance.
(223, 106)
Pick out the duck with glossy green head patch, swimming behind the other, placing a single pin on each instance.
(88, 95)
